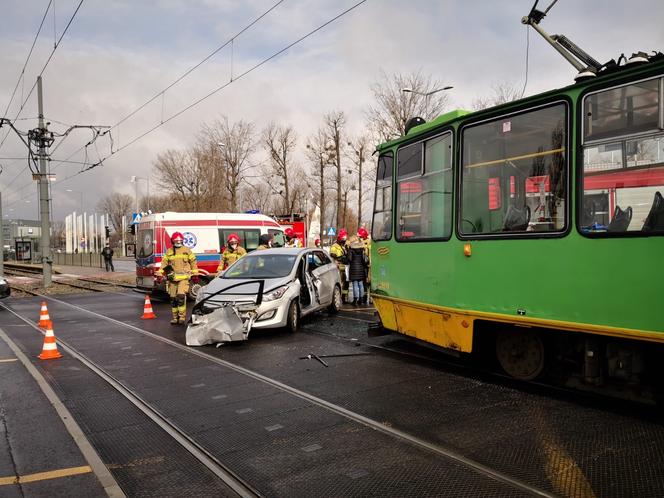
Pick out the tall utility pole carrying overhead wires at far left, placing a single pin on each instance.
(43, 142)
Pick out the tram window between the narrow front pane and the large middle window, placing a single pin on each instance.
(424, 201)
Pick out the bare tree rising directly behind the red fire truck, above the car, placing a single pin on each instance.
(279, 142)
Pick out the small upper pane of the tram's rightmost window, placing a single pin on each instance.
(622, 111)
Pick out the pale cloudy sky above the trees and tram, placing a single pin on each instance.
(116, 55)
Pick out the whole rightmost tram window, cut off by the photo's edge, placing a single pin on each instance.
(623, 175)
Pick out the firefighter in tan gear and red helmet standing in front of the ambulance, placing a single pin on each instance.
(179, 267)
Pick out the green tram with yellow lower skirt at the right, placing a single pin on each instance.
(533, 230)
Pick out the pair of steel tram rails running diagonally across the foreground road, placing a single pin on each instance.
(199, 451)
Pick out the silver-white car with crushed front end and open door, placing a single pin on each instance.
(269, 288)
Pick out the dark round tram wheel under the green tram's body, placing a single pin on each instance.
(520, 353)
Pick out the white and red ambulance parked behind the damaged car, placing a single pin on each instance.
(204, 233)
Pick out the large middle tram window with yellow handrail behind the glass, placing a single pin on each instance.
(514, 174)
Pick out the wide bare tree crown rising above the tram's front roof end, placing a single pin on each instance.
(393, 107)
